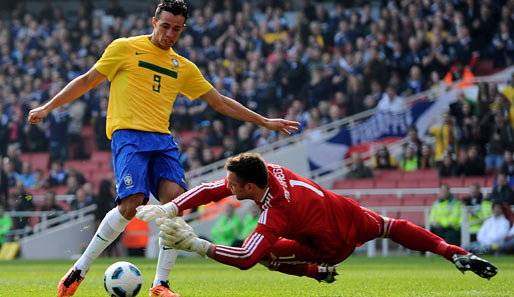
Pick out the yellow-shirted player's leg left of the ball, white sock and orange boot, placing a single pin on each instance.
(110, 228)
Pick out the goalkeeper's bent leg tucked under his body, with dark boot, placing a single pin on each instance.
(288, 256)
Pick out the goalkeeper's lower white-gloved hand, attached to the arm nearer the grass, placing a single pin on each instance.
(179, 235)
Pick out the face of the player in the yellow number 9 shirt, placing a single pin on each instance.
(167, 29)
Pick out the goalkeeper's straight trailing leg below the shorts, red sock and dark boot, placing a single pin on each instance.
(416, 238)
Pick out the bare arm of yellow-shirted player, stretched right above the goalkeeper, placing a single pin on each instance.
(236, 110)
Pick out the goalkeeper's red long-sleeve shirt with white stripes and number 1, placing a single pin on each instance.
(327, 226)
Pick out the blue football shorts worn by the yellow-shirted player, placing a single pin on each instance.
(141, 159)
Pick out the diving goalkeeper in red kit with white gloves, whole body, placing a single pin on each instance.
(303, 229)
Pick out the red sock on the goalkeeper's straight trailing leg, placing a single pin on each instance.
(419, 239)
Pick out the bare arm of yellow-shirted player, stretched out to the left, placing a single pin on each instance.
(73, 90)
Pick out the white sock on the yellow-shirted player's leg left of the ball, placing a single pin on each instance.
(110, 228)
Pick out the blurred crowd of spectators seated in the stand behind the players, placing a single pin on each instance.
(314, 62)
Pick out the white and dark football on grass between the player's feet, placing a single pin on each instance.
(123, 279)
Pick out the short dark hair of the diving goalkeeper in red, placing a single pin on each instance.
(249, 168)
